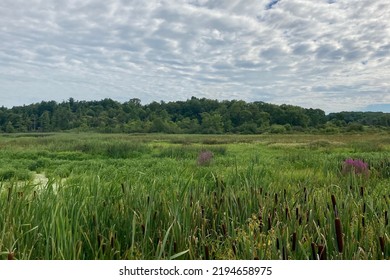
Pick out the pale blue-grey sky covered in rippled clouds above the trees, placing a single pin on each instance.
(328, 54)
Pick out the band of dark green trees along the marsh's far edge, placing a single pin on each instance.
(192, 116)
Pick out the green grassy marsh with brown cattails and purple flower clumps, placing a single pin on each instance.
(99, 196)
